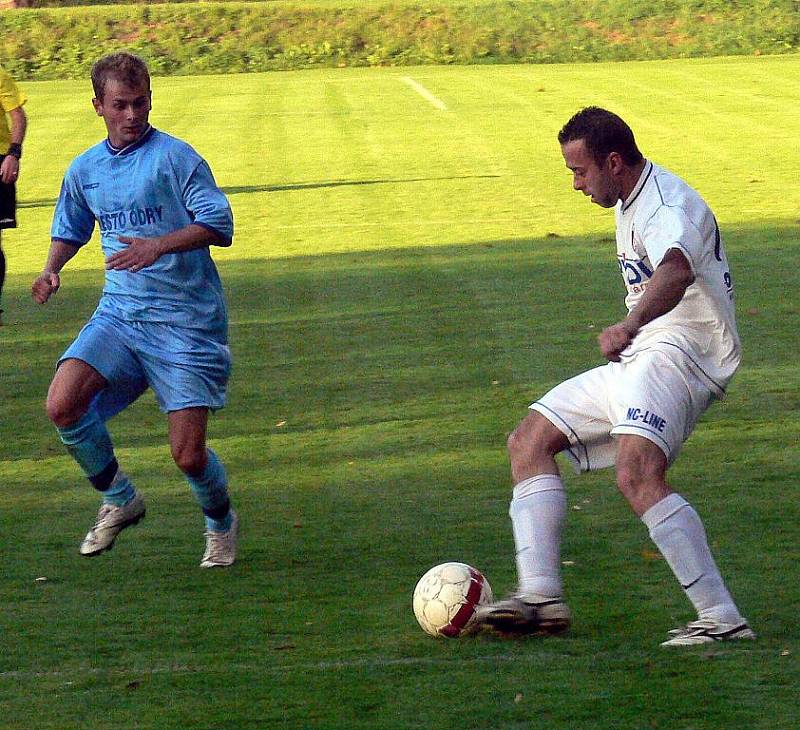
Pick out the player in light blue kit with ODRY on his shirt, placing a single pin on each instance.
(161, 321)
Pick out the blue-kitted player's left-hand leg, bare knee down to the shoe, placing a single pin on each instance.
(69, 407)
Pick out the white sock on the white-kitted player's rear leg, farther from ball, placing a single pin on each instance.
(678, 533)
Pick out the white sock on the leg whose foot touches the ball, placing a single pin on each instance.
(537, 511)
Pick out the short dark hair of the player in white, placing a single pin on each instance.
(603, 132)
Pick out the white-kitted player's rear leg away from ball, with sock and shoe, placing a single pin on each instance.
(678, 533)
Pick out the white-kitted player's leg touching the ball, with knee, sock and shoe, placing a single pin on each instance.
(537, 512)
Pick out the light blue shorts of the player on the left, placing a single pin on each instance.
(184, 368)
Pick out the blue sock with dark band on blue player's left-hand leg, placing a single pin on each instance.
(89, 443)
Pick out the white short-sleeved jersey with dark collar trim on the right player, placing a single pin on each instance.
(661, 213)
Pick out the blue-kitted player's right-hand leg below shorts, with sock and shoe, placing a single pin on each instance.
(206, 476)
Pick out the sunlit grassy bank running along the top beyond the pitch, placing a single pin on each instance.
(232, 37)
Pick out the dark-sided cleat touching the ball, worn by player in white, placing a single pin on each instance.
(518, 615)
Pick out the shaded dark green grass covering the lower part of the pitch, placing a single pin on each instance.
(395, 375)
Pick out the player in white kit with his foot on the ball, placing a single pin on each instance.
(669, 358)
